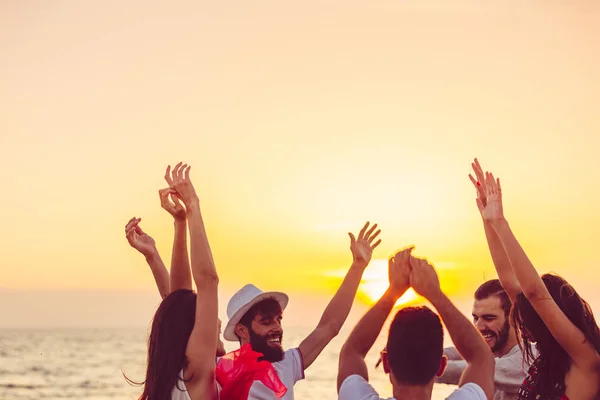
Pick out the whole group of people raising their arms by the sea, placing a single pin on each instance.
(532, 336)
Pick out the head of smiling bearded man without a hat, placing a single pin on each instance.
(491, 311)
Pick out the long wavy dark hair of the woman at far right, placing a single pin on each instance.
(553, 362)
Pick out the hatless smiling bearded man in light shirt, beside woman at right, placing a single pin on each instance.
(491, 316)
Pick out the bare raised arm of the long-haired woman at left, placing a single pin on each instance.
(202, 345)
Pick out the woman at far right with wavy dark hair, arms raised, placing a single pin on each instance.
(546, 310)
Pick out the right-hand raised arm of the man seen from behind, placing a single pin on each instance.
(468, 341)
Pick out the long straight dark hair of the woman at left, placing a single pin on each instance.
(171, 328)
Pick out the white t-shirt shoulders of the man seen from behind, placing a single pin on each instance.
(355, 387)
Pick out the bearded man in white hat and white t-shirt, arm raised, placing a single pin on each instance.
(255, 317)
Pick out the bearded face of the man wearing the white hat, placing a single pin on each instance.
(261, 327)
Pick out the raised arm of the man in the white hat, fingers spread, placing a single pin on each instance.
(339, 307)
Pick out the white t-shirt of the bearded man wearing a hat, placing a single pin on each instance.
(290, 370)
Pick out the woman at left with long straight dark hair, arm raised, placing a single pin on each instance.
(184, 333)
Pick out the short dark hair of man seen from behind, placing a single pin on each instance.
(415, 345)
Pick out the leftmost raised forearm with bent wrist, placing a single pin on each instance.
(143, 243)
